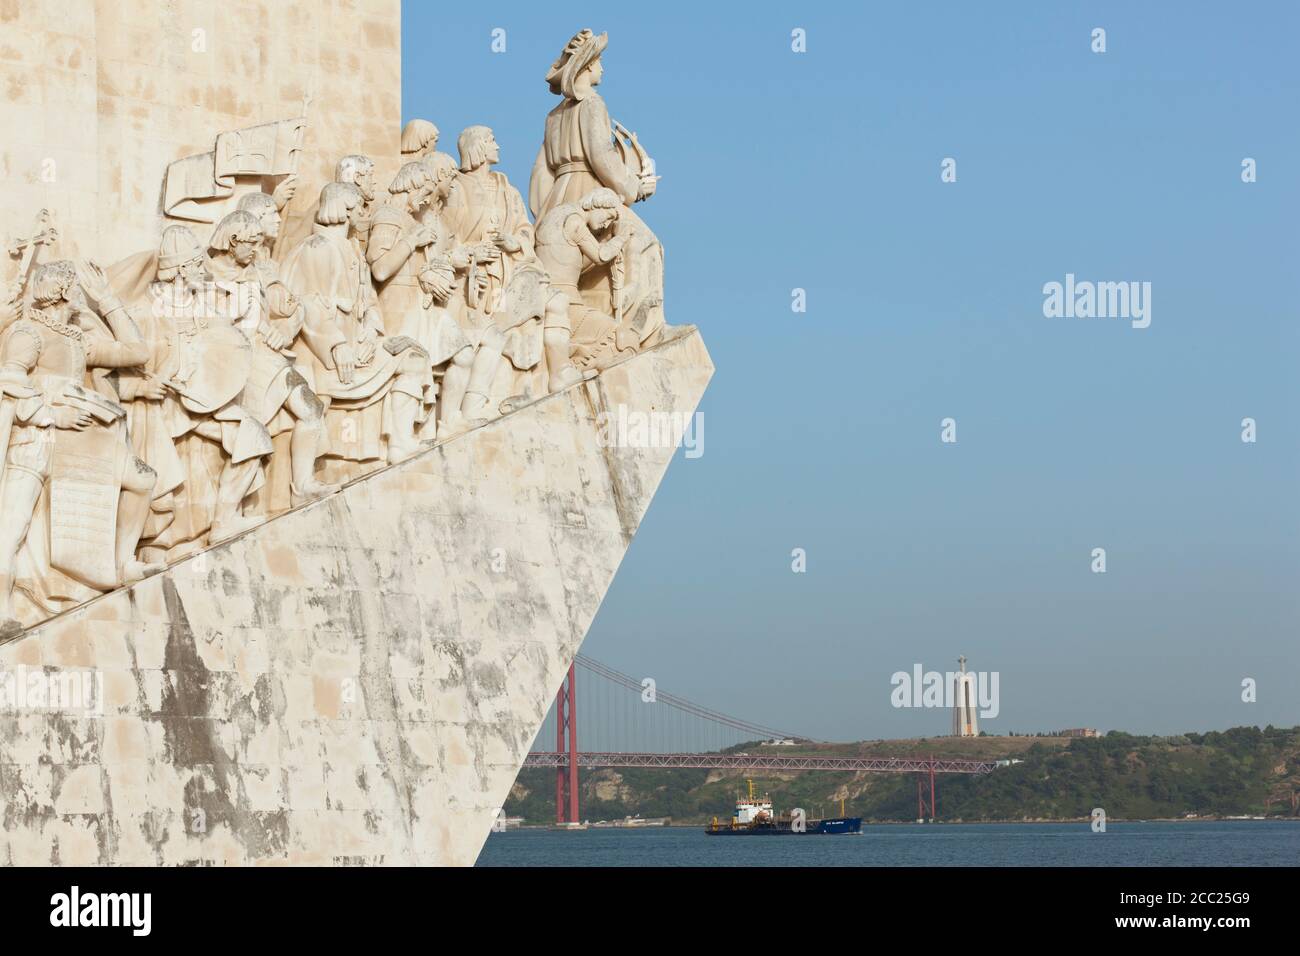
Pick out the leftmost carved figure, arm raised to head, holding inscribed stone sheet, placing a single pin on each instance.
(73, 495)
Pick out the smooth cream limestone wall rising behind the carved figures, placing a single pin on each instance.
(97, 97)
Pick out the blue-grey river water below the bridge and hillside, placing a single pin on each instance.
(1229, 843)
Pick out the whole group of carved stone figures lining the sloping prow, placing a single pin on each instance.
(248, 365)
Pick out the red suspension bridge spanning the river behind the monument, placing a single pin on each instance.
(660, 732)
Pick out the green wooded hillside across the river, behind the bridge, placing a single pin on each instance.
(1228, 773)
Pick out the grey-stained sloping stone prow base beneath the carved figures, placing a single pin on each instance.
(356, 682)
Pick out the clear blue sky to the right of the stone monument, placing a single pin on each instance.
(925, 301)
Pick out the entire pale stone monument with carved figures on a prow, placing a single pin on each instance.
(263, 599)
